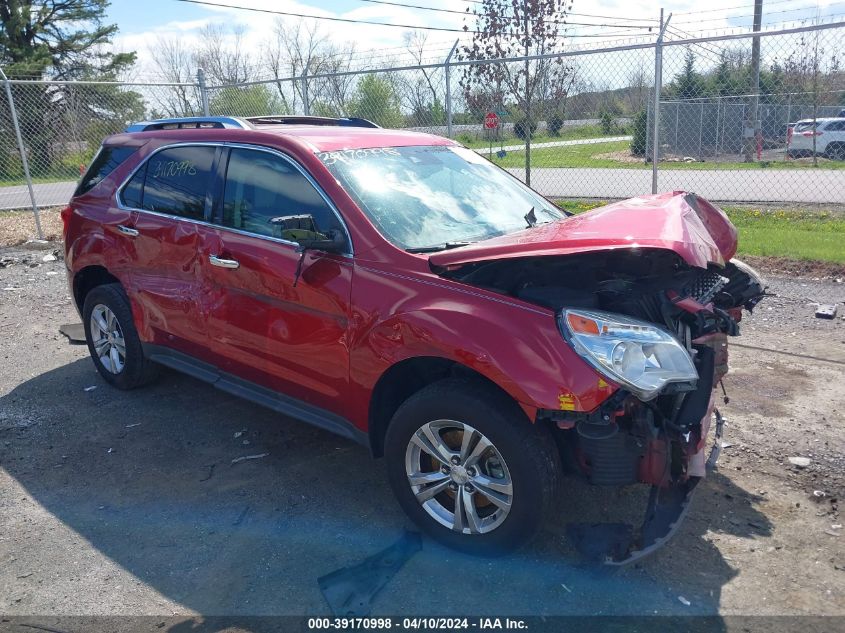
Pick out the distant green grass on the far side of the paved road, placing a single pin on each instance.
(589, 156)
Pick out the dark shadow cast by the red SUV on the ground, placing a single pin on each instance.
(147, 479)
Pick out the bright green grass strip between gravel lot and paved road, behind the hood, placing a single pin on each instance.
(793, 234)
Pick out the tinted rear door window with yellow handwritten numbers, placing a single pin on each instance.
(173, 181)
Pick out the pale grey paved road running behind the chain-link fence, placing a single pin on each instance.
(777, 185)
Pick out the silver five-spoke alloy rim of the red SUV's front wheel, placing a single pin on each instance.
(459, 477)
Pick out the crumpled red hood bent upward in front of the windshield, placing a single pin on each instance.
(679, 221)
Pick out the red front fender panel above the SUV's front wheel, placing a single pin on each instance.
(515, 345)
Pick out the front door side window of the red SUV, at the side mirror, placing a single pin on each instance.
(265, 194)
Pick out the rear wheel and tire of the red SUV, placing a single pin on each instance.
(113, 341)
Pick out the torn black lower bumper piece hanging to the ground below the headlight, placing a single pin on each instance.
(618, 544)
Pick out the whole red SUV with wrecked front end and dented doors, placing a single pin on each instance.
(400, 290)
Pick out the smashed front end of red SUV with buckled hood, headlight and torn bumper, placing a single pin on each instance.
(652, 318)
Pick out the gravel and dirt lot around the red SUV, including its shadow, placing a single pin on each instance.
(127, 503)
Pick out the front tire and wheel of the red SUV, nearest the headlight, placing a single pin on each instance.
(469, 468)
